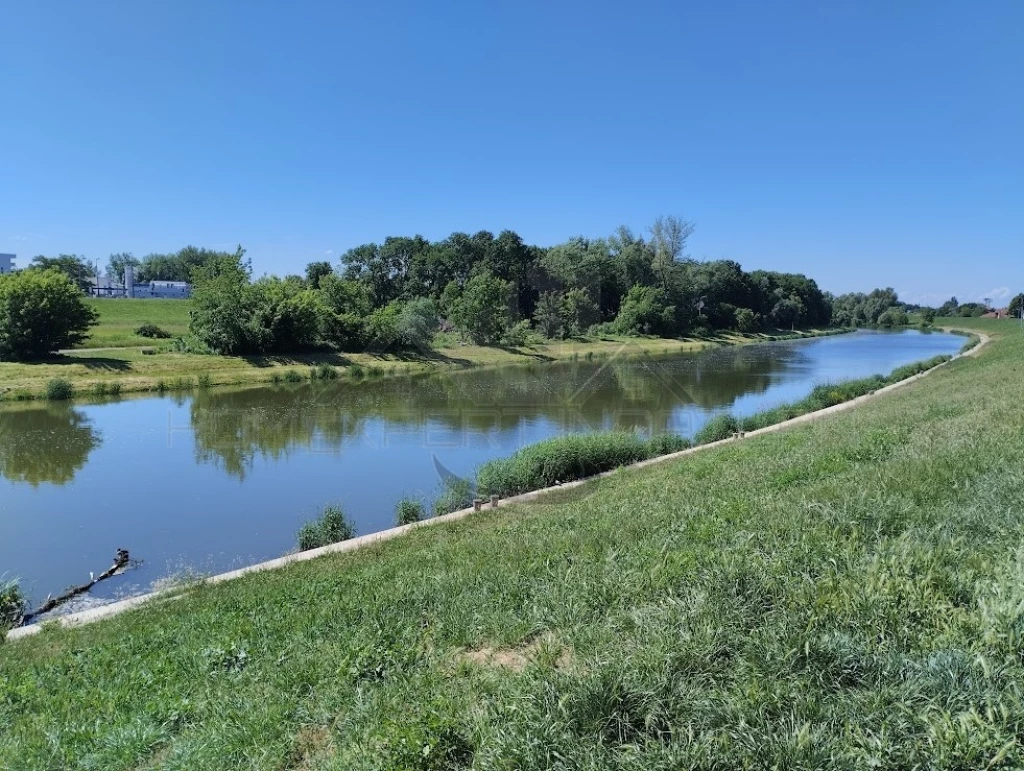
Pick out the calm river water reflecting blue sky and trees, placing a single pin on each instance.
(221, 480)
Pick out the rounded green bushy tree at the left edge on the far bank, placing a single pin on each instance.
(41, 312)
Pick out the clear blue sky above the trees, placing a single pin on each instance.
(865, 144)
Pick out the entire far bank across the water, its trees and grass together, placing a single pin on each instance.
(408, 304)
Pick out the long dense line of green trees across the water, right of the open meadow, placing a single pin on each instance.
(496, 290)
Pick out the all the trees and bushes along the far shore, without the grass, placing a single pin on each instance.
(410, 293)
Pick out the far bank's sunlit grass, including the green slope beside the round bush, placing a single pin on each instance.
(152, 367)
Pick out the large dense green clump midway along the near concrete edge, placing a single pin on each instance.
(573, 457)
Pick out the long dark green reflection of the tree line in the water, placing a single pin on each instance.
(233, 429)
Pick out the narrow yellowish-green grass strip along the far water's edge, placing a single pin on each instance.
(107, 372)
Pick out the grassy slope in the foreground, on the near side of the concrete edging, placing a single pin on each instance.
(842, 594)
